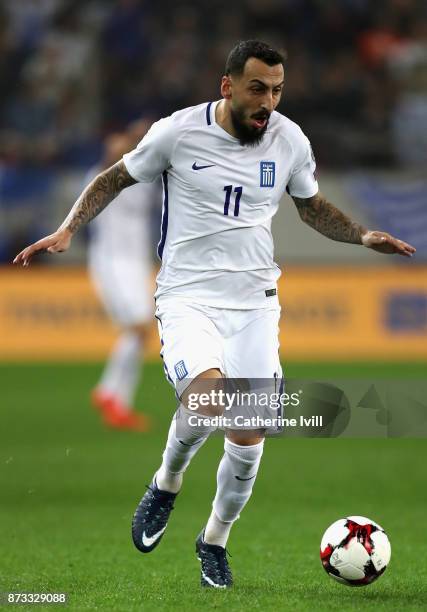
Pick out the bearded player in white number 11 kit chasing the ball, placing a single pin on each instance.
(225, 165)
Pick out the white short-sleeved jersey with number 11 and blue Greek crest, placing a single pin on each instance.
(219, 199)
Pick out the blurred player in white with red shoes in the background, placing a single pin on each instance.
(120, 267)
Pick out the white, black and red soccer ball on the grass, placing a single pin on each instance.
(355, 551)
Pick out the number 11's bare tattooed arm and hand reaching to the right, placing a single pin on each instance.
(325, 218)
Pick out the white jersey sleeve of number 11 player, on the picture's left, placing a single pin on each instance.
(152, 155)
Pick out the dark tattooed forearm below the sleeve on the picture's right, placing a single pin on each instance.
(328, 220)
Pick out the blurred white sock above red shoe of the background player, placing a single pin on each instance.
(122, 372)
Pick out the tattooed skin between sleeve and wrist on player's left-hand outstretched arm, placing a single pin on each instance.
(97, 195)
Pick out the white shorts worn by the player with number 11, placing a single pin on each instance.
(196, 338)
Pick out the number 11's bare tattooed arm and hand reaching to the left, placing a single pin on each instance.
(96, 196)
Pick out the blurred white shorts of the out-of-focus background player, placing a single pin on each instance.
(124, 287)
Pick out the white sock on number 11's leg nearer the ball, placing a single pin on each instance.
(232, 493)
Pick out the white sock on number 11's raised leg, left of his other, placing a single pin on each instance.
(184, 440)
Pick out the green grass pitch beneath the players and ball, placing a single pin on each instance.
(68, 489)
